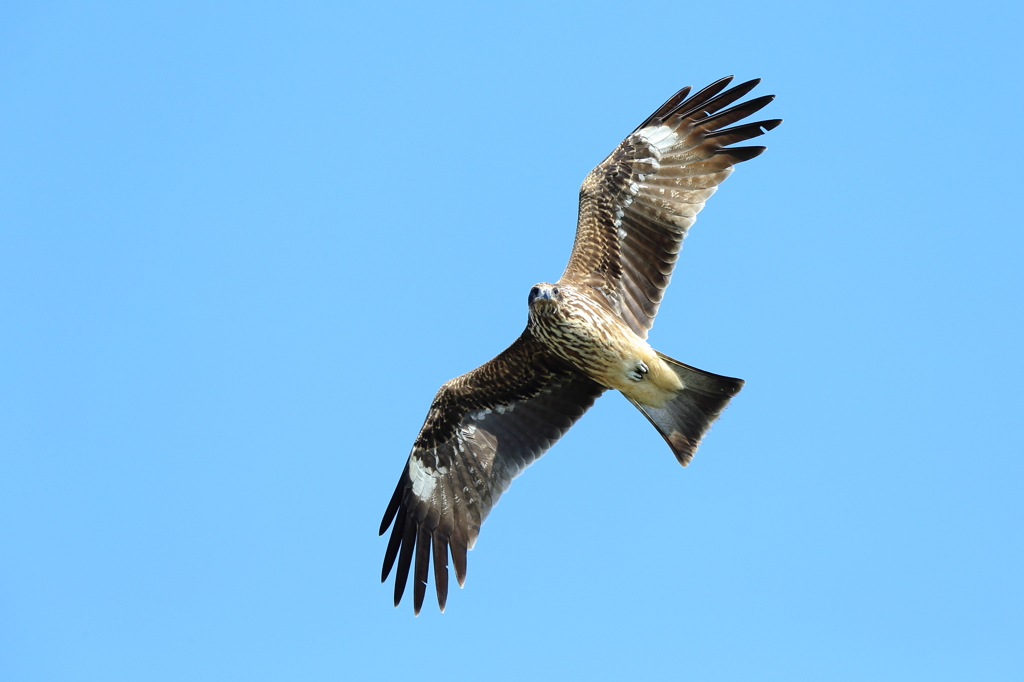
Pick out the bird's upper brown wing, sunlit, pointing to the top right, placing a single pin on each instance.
(636, 206)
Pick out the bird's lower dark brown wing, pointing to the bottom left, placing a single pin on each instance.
(484, 429)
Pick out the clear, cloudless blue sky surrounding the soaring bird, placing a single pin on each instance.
(242, 245)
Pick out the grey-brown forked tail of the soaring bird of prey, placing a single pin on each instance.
(684, 420)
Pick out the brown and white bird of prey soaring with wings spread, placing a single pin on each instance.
(586, 334)
